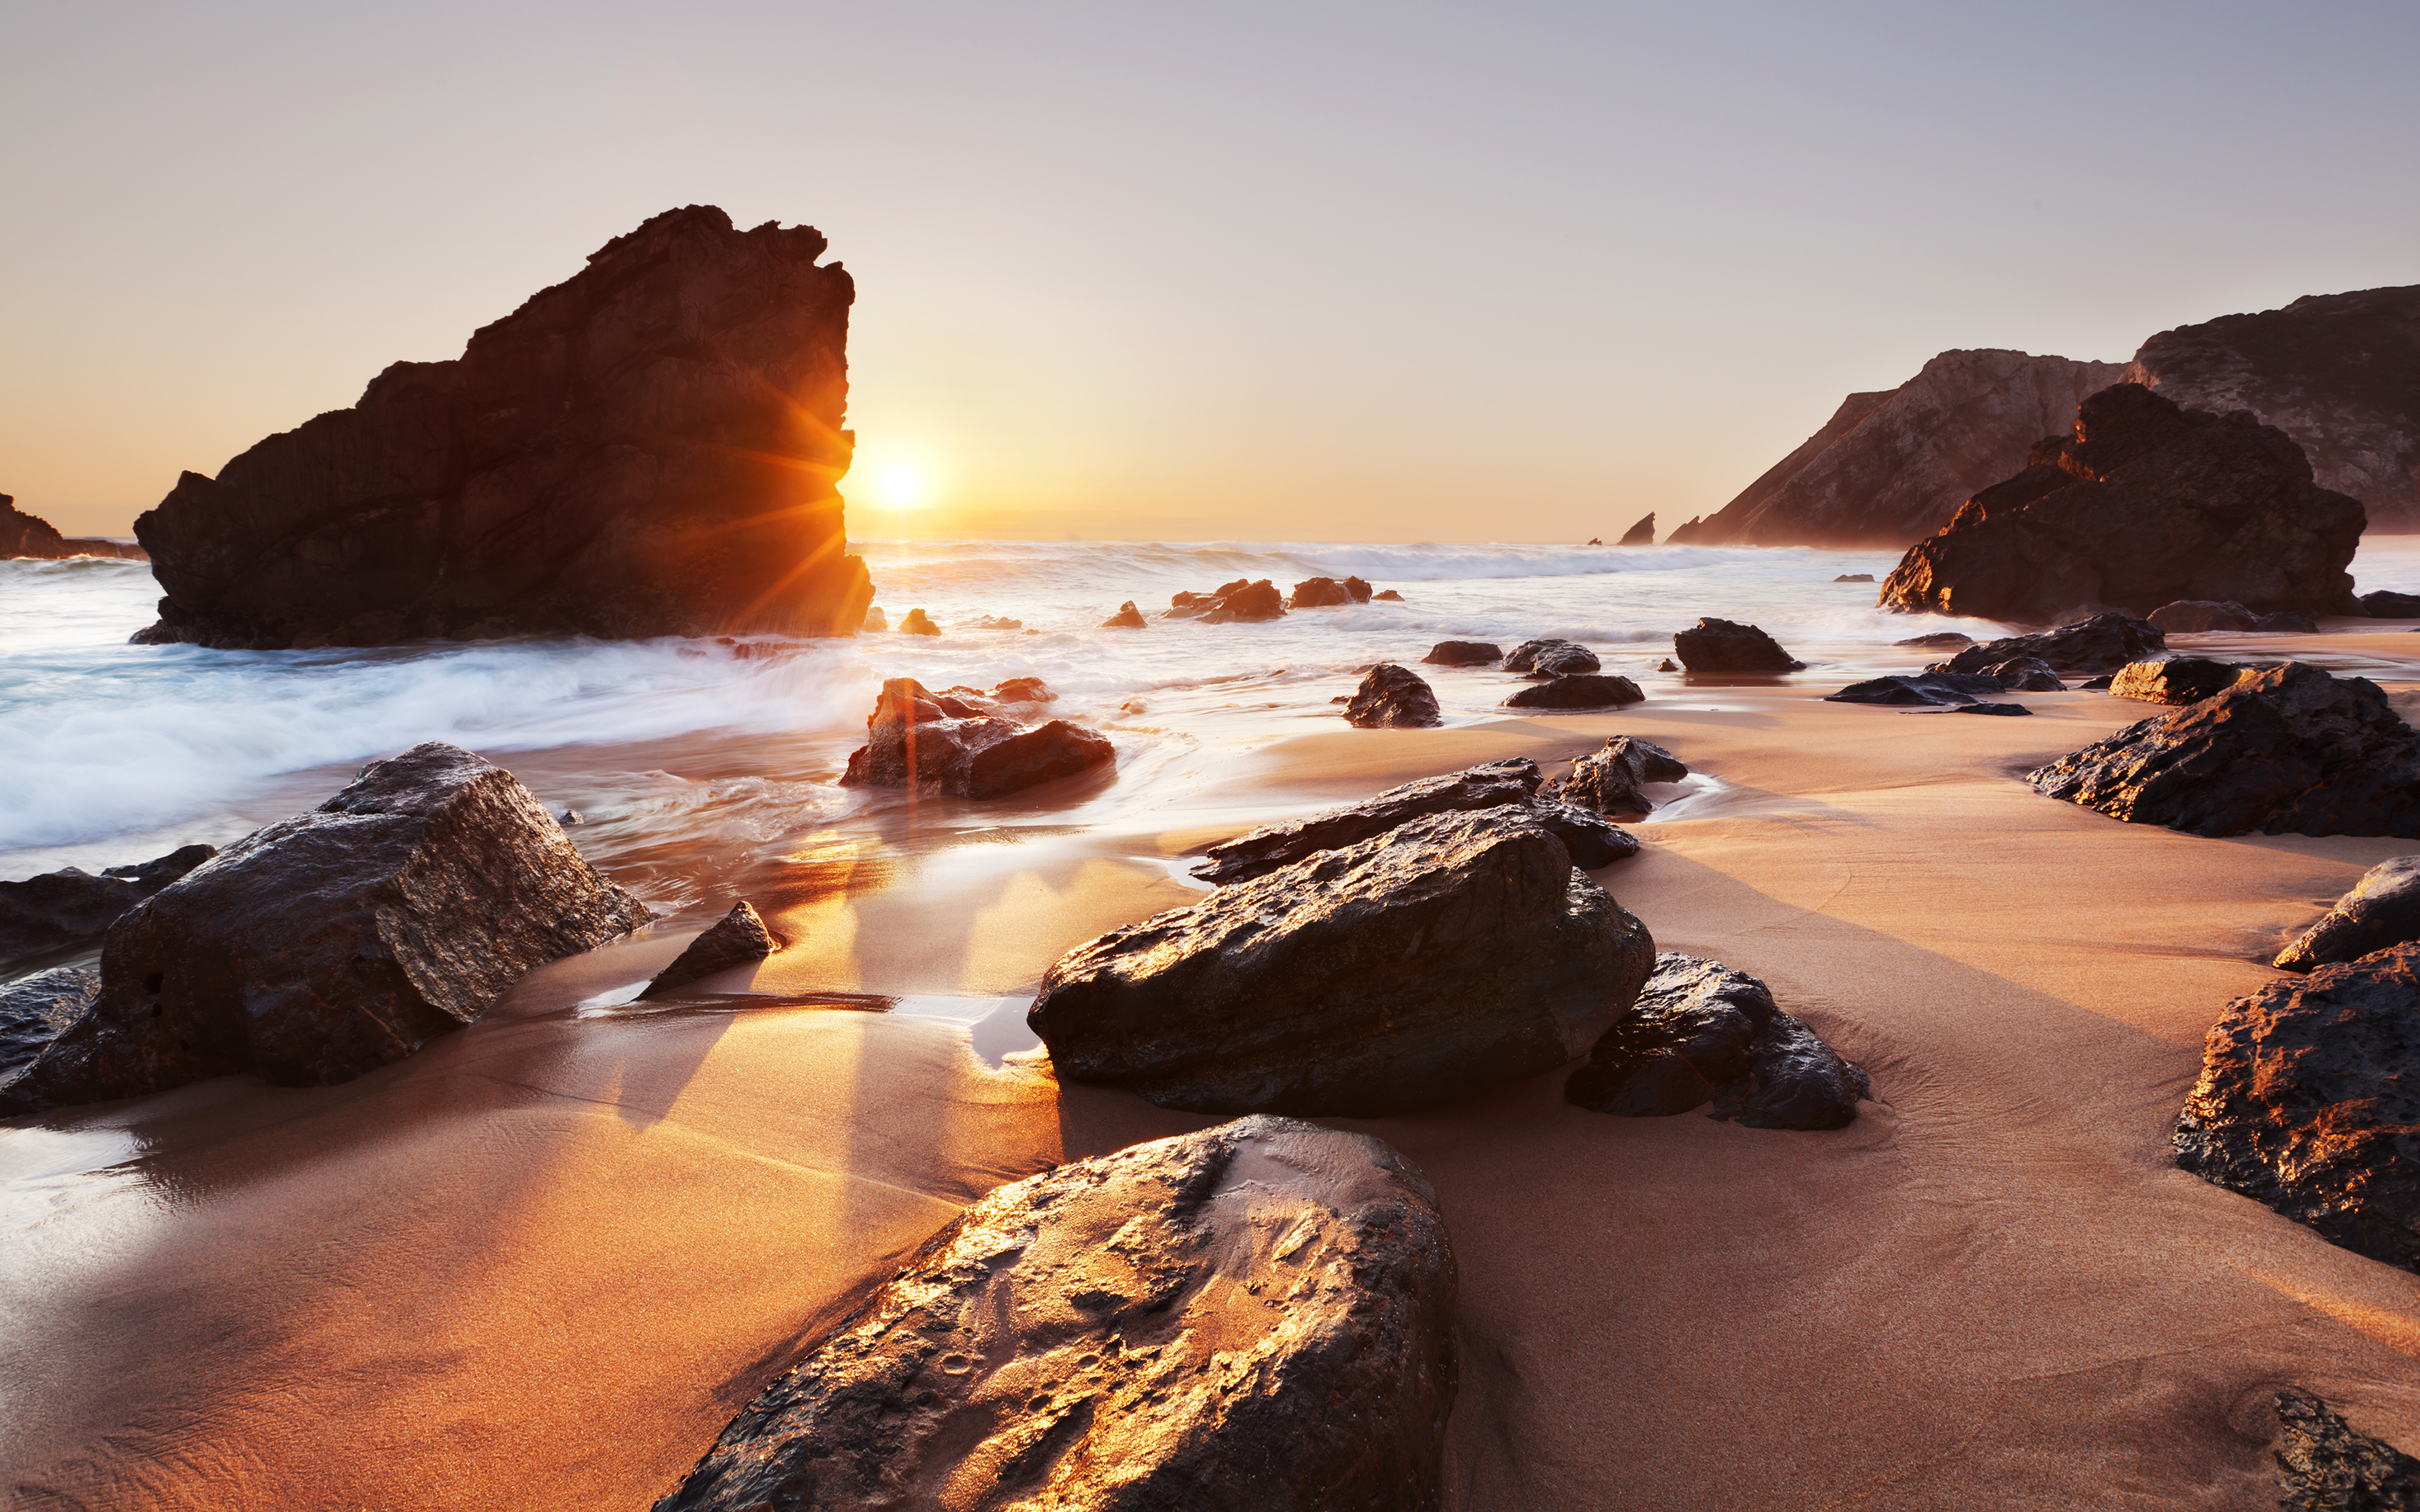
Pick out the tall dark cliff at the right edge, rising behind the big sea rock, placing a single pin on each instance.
(2339, 374)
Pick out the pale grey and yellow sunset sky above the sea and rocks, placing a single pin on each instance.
(1221, 272)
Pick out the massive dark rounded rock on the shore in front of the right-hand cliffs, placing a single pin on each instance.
(2143, 507)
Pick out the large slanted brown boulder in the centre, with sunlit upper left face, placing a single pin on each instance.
(1412, 971)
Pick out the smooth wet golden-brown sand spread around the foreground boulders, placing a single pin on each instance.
(543, 1262)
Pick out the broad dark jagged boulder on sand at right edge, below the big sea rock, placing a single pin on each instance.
(2286, 751)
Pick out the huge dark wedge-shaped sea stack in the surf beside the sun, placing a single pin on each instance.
(645, 449)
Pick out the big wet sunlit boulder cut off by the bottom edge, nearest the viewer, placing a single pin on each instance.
(1248, 1317)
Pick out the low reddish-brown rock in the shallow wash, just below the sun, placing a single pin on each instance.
(943, 744)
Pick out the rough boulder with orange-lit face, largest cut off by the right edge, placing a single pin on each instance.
(2310, 1104)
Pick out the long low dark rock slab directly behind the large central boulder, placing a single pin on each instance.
(1497, 785)
